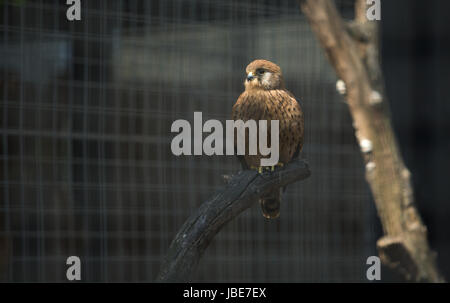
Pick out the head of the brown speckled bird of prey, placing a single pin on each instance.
(263, 74)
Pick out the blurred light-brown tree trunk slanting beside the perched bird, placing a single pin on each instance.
(353, 51)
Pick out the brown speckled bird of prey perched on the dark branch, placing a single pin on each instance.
(266, 98)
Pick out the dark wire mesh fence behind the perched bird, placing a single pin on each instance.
(86, 165)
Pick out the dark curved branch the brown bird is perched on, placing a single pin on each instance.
(242, 190)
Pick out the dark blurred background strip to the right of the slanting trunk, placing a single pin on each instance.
(416, 65)
